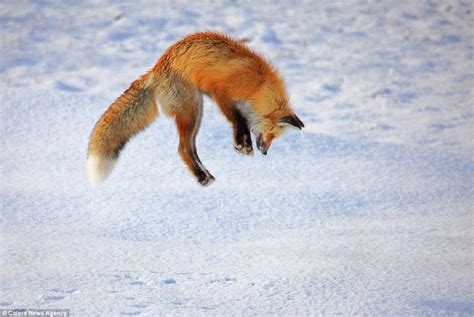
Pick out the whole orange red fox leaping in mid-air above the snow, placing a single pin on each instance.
(249, 91)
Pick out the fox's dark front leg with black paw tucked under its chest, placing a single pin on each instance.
(241, 132)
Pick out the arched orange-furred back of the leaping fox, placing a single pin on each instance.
(216, 63)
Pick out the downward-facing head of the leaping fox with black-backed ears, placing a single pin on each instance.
(273, 126)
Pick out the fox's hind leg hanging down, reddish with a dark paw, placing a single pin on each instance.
(188, 121)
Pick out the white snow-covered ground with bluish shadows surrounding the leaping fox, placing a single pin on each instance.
(367, 211)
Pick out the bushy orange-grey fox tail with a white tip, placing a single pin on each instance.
(133, 111)
